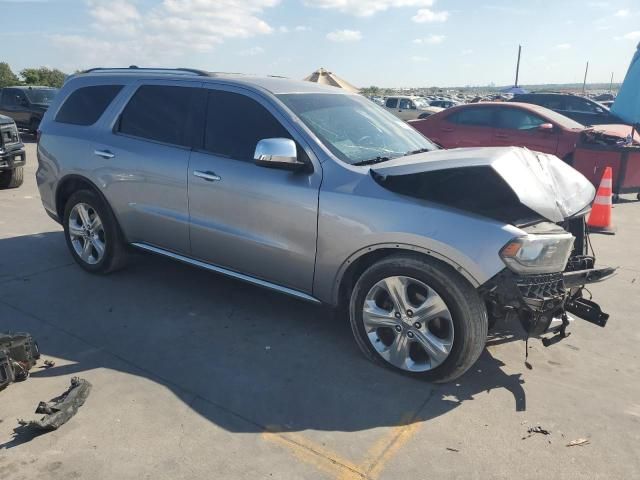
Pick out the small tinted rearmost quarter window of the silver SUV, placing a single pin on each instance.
(85, 105)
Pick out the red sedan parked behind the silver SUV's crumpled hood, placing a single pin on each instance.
(495, 124)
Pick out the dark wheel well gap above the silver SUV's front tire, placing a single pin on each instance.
(359, 265)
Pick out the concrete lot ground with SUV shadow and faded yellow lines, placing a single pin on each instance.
(199, 376)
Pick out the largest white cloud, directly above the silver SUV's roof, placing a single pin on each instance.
(124, 32)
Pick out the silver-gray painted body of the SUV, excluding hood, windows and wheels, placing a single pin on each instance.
(293, 231)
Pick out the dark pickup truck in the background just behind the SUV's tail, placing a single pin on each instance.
(26, 104)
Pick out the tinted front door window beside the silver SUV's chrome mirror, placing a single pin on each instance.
(236, 123)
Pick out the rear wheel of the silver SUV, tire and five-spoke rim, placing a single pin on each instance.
(92, 233)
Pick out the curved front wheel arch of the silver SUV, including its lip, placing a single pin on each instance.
(358, 262)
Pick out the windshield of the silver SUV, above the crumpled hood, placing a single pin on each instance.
(354, 129)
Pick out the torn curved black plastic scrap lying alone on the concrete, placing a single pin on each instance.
(59, 410)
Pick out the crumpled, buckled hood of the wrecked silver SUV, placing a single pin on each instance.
(541, 182)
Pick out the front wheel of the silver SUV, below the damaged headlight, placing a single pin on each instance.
(418, 316)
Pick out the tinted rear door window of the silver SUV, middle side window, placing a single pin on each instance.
(159, 113)
